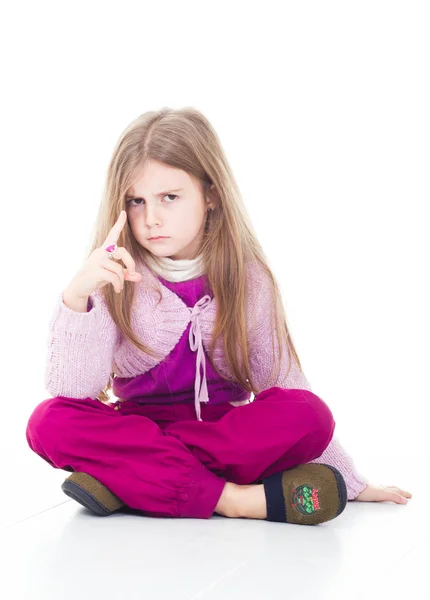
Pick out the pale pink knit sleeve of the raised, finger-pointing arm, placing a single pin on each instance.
(80, 349)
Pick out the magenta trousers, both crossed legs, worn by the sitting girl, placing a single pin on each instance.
(158, 459)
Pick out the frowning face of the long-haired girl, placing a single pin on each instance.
(165, 201)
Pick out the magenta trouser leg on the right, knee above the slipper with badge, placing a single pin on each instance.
(280, 429)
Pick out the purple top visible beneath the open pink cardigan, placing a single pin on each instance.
(173, 380)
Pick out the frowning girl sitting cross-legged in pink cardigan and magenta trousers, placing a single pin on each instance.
(183, 331)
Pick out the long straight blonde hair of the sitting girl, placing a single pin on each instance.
(185, 139)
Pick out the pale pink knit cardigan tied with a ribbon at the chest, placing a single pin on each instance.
(84, 348)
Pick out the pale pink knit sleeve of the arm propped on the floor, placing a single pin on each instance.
(261, 322)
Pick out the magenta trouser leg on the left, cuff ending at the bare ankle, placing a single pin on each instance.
(128, 453)
